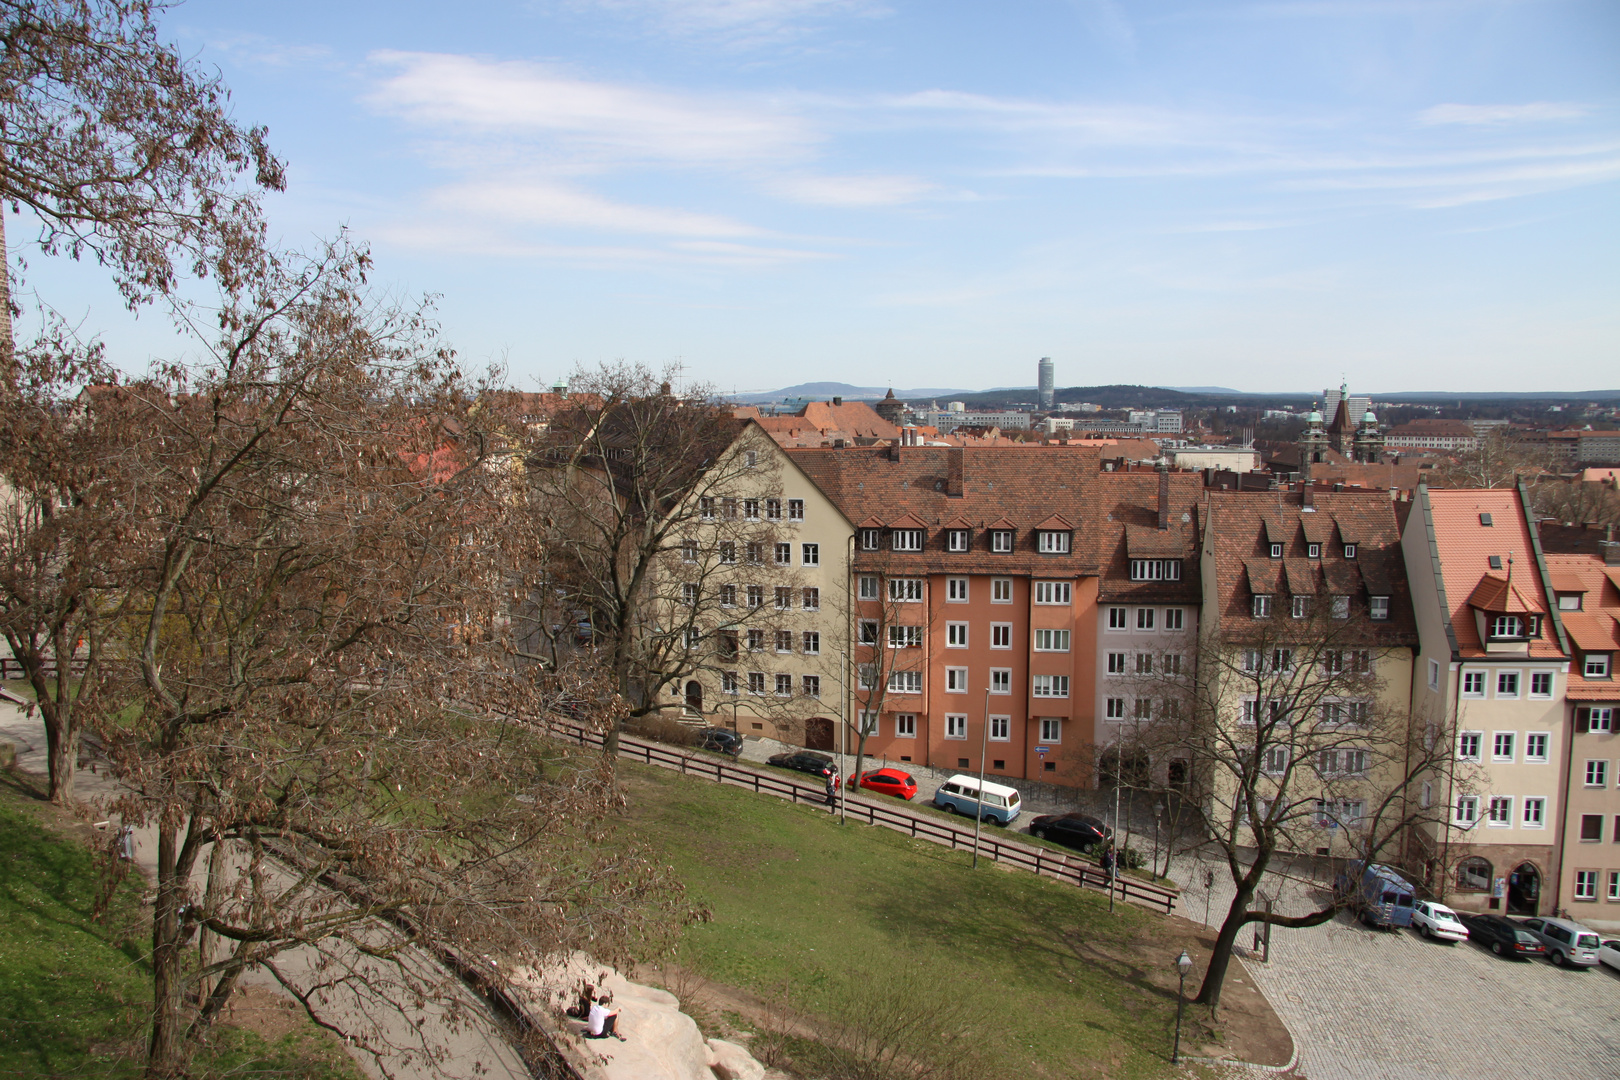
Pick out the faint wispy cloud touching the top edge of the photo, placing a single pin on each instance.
(736, 23)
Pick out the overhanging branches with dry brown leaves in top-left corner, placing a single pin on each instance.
(122, 148)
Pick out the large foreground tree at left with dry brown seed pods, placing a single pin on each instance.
(315, 600)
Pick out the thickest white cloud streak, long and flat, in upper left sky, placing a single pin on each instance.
(590, 119)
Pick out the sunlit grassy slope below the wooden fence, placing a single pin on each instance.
(799, 901)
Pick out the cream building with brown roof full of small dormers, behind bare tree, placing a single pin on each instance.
(1308, 644)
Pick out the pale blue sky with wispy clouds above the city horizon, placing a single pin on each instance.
(1418, 195)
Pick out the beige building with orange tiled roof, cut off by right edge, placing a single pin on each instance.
(1588, 875)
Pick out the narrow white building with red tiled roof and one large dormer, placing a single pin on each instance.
(1493, 670)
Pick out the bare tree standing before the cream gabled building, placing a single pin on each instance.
(655, 524)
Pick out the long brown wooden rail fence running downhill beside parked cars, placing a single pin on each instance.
(1028, 857)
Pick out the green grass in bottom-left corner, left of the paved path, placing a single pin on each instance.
(75, 990)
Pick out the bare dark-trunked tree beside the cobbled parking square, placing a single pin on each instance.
(1289, 736)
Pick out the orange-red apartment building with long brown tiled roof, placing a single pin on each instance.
(974, 602)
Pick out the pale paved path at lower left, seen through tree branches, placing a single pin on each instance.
(475, 1048)
